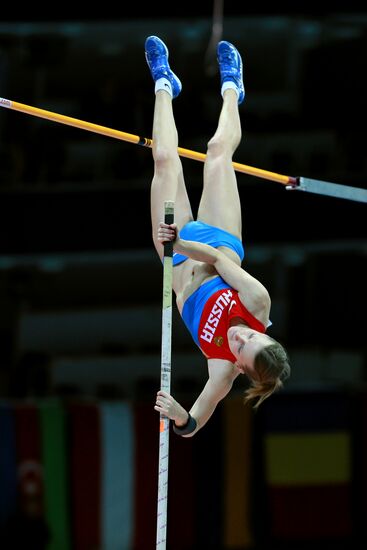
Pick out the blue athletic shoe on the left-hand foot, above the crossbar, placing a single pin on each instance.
(156, 54)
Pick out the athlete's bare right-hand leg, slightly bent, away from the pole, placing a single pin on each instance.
(220, 202)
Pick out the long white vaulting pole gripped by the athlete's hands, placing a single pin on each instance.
(164, 423)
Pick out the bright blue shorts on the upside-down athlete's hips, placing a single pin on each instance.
(208, 234)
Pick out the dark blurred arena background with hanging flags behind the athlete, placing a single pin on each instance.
(81, 287)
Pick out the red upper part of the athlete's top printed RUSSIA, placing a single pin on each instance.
(218, 311)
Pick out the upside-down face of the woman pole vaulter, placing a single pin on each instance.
(245, 343)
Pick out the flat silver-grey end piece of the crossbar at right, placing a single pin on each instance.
(330, 189)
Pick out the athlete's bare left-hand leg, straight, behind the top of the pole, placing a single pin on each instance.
(168, 180)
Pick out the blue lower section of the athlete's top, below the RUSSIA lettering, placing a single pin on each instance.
(194, 305)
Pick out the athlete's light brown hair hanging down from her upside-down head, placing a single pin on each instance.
(272, 367)
